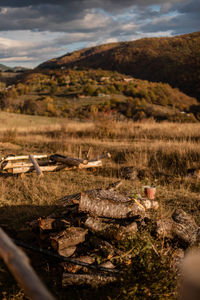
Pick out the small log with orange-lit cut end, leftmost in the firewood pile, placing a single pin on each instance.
(51, 223)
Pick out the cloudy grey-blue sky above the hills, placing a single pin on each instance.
(32, 31)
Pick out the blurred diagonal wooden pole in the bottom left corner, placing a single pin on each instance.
(18, 264)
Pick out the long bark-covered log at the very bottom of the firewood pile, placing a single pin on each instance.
(87, 279)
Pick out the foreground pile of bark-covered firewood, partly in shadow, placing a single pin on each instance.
(88, 230)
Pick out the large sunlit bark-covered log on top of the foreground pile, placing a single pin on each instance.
(102, 205)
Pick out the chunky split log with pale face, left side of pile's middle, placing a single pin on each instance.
(67, 238)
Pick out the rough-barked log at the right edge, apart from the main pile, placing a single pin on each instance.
(184, 227)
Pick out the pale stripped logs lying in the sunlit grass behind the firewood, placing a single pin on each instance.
(47, 163)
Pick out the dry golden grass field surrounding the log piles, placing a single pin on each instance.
(161, 152)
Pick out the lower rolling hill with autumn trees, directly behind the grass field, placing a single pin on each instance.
(93, 94)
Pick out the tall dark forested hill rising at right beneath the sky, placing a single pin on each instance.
(173, 60)
